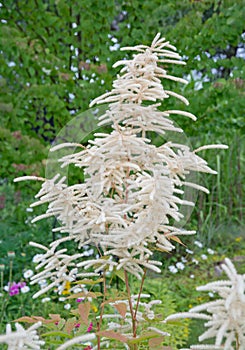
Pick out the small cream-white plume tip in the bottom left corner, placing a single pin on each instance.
(22, 338)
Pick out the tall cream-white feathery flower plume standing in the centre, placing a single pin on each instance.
(132, 189)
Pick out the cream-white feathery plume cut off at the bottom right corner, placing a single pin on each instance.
(225, 316)
